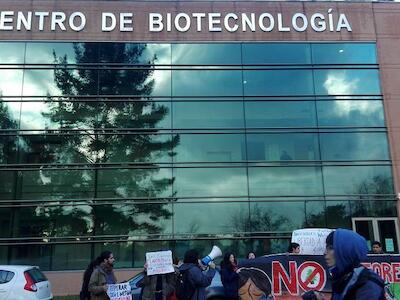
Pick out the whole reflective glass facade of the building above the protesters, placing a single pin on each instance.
(139, 147)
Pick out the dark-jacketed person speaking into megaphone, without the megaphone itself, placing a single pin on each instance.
(197, 280)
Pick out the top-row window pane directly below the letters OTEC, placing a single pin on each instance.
(206, 54)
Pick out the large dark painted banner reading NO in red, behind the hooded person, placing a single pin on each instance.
(285, 277)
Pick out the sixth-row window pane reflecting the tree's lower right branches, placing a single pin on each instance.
(131, 219)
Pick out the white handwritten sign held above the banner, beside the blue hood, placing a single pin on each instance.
(312, 241)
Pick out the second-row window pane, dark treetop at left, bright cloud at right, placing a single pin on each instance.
(144, 82)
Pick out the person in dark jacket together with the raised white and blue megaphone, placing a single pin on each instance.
(196, 275)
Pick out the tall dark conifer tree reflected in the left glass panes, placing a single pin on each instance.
(90, 146)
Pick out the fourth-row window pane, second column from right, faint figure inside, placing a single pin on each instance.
(275, 147)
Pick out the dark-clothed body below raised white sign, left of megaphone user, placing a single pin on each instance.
(157, 287)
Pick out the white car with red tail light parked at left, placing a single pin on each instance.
(23, 283)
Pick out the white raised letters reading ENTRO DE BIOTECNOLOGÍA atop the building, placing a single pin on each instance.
(59, 21)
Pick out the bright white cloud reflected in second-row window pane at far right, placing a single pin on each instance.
(338, 83)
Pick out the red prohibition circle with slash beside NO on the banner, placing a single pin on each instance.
(317, 274)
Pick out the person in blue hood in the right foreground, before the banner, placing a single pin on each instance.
(345, 250)
